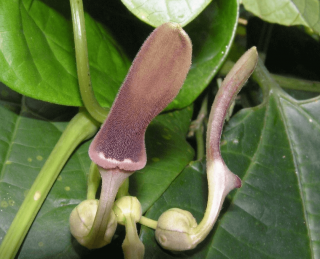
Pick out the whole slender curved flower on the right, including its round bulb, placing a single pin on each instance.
(177, 229)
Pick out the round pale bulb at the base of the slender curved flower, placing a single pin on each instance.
(174, 230)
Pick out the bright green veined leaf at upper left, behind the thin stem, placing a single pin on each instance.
(37, 55)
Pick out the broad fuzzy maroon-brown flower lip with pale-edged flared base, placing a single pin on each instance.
(153, 81)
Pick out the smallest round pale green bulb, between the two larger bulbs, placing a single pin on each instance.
(126, 206)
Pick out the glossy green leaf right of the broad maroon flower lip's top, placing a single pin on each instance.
(212, 34)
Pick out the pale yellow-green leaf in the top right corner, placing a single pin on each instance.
(287, 12)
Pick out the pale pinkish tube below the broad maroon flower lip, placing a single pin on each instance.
(112, 179)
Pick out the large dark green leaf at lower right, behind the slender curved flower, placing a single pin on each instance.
(274, 148)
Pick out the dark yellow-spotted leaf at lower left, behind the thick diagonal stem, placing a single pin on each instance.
(26, 140)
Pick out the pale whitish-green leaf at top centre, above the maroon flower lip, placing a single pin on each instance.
(157, 12)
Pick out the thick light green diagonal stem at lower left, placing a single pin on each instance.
(80, 128)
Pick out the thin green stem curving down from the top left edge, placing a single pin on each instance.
(80, 40)
